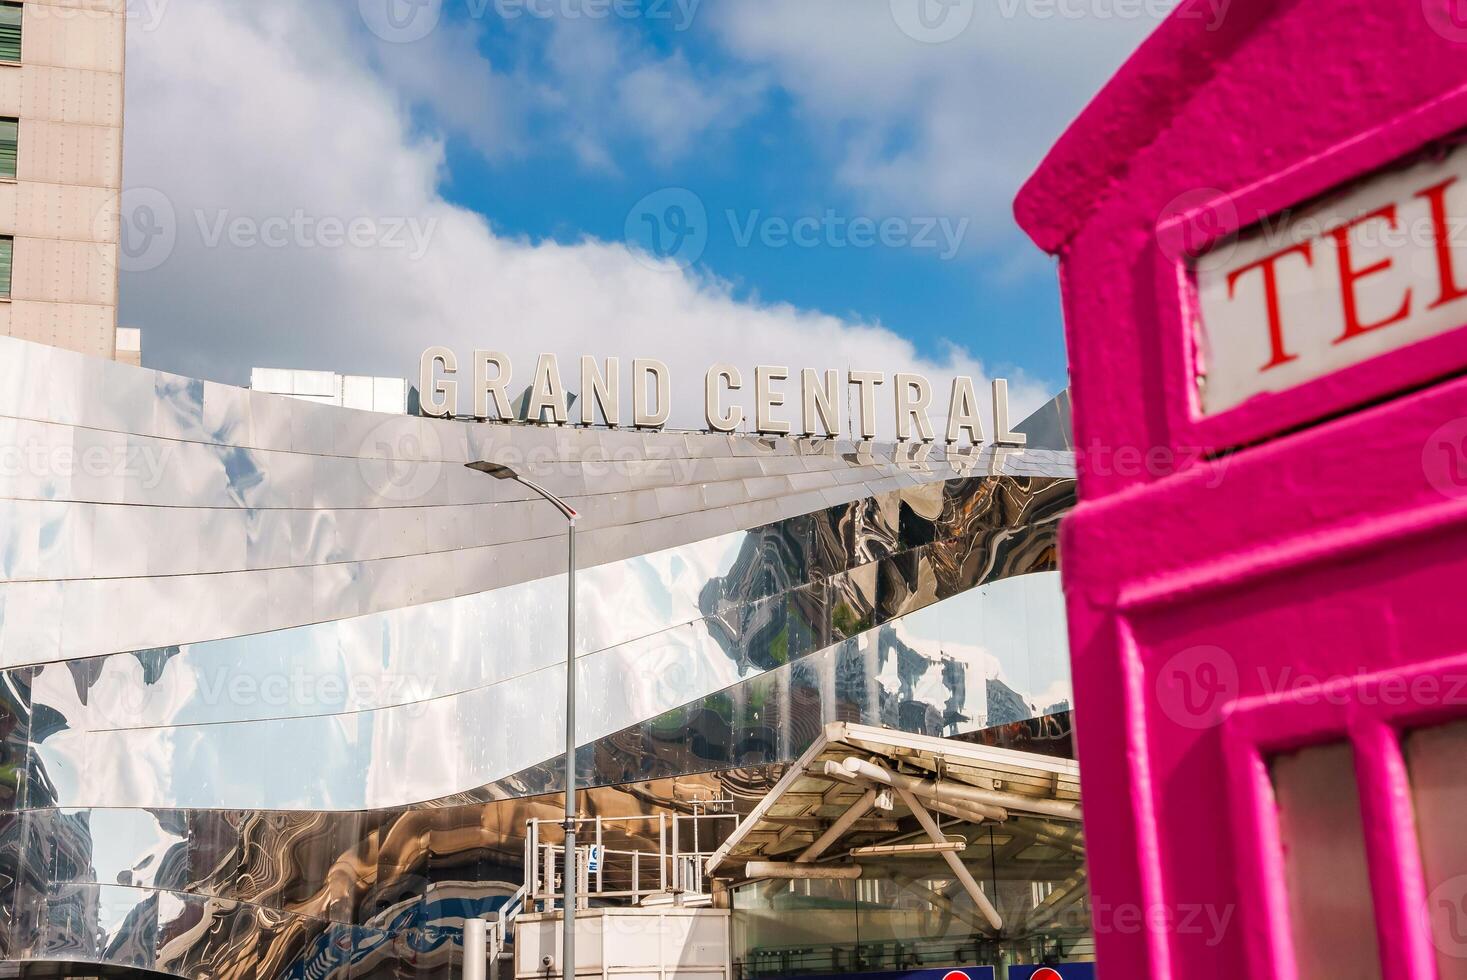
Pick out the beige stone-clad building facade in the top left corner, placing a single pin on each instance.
(61, 172)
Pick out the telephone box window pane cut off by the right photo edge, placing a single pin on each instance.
(1437, 759)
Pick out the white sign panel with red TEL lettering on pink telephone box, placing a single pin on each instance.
(1367, 271)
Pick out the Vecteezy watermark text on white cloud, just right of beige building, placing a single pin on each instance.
(301, 230)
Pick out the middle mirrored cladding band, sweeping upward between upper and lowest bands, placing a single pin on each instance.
(215, 724)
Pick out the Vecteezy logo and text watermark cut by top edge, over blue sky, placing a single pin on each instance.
(409, 21)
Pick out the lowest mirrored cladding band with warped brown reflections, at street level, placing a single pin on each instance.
(212, 893)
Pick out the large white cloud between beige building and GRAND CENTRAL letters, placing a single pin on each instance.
(272, 115)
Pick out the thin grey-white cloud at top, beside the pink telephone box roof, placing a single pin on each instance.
(950, 128)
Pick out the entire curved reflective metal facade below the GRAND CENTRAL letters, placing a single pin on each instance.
(281, 681)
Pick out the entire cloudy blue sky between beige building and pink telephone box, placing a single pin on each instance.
(533, 147)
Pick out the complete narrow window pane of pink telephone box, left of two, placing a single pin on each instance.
(1331, 907)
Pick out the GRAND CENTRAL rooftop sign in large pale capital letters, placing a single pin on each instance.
(819, 394)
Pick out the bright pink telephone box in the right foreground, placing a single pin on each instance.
(1262, 231)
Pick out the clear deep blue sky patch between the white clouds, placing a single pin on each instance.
(768, 165)
